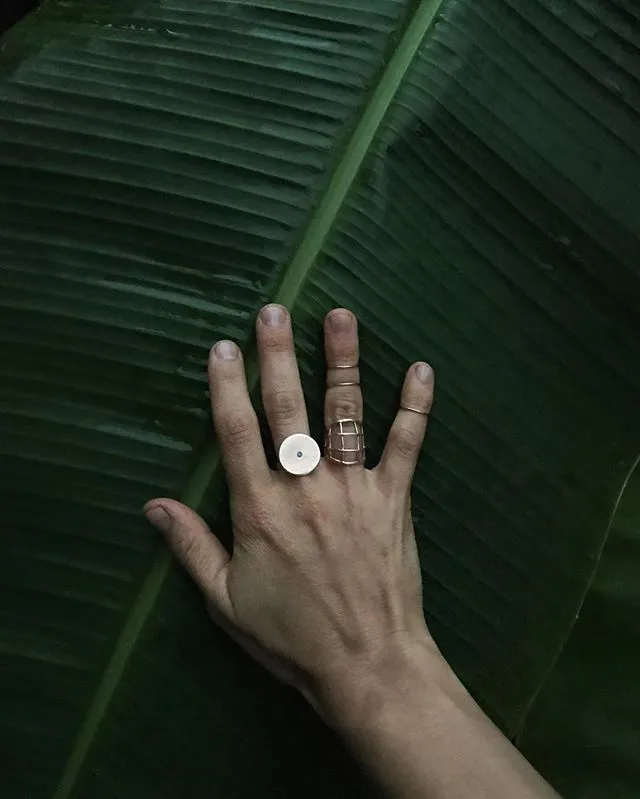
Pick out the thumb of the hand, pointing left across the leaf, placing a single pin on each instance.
(195, 546)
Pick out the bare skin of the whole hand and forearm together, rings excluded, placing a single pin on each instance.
(324, 585)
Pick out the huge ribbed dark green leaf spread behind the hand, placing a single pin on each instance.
(464, 176)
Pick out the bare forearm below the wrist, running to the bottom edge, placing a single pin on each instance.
(420, 734)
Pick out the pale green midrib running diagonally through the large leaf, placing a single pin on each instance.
(293, 278)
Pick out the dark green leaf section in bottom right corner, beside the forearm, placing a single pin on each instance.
(582, 732)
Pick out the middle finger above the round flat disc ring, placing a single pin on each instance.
(282, 395)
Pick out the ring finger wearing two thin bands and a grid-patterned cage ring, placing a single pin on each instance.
(343, 398)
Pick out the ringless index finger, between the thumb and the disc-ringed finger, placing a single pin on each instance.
(235, 419)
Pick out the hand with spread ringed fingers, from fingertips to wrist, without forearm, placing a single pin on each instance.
(324, 583)
